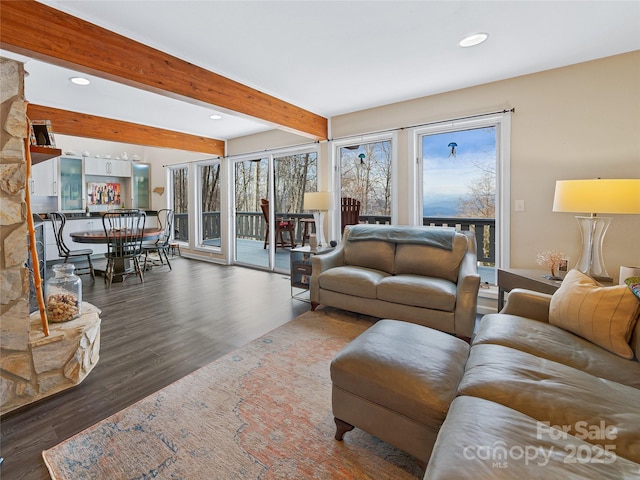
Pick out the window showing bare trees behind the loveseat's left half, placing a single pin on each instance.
(366, 175)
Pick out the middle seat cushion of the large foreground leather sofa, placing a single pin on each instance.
(551, 392)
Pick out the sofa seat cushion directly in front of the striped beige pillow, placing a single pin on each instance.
(553, 343)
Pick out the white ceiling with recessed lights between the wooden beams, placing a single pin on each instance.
(334, 57)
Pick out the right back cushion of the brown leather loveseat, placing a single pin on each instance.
(431, 261)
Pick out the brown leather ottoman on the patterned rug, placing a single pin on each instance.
(396, 381)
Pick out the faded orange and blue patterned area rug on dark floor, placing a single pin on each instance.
(260, 412)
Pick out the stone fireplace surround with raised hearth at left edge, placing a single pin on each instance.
(32, 365)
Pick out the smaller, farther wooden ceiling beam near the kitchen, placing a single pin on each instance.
(101, 128)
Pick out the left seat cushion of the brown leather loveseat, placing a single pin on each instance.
(356, 281)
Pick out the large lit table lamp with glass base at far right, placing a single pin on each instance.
(594, 196)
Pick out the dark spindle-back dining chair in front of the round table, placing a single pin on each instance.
(124, 230)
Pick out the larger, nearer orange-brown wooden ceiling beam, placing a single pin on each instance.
(39, 31)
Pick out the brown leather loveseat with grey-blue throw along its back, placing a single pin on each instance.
(424, 275)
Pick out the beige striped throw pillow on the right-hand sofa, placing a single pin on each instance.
(603, 315)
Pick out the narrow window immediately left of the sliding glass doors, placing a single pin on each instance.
(209, 190)
